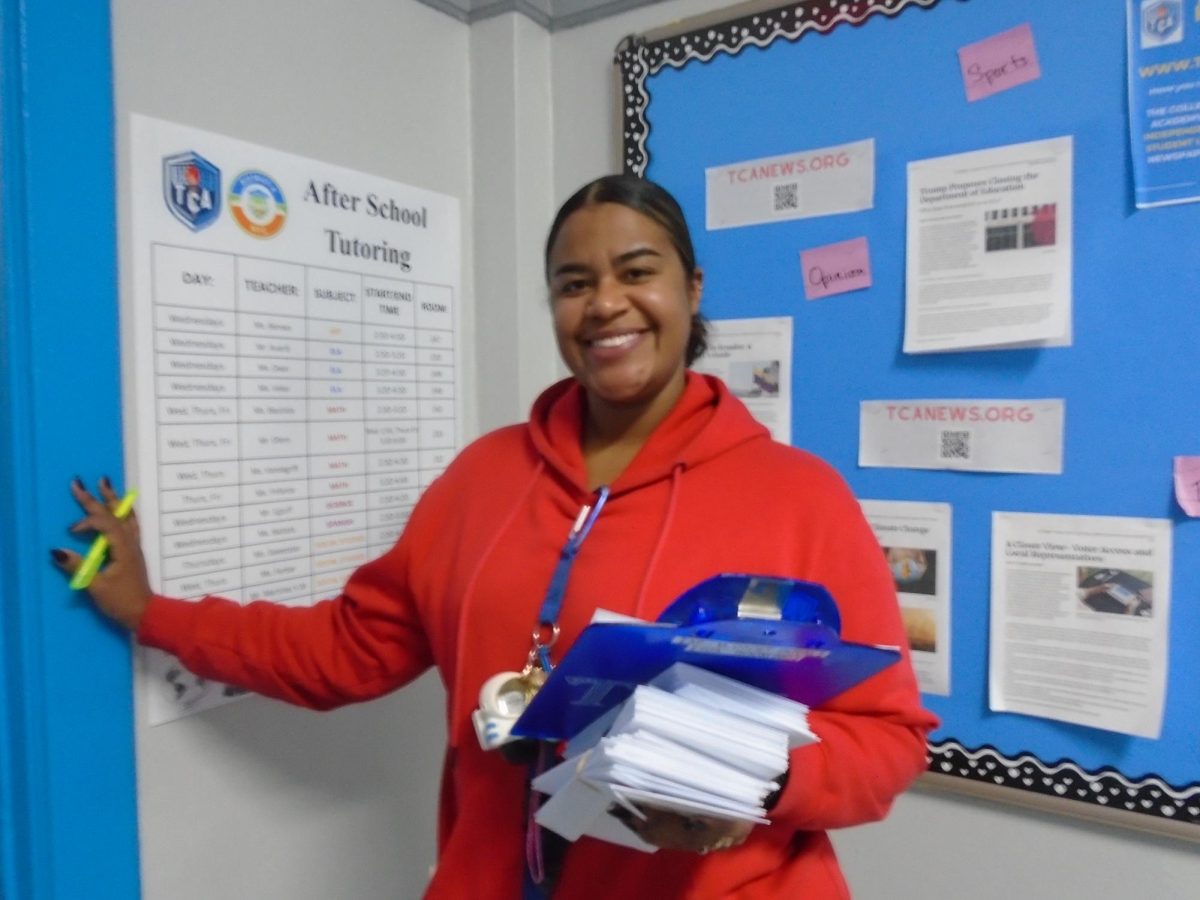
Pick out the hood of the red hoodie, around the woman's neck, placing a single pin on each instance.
(705, 423)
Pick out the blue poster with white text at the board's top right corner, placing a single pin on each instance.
(1165, 100)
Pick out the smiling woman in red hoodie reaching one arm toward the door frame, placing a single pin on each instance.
(697, 488)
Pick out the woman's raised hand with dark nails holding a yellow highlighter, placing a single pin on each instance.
(122, 590)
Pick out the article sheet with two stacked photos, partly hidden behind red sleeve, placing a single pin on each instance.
(916, 541)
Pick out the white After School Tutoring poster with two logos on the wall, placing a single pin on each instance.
(292, 371)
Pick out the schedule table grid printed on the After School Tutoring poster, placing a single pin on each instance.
(301, 411)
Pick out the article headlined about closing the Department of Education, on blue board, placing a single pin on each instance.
(989, 249)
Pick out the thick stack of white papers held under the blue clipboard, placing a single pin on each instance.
(693, 742)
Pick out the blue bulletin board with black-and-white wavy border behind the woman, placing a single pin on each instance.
(814, 75)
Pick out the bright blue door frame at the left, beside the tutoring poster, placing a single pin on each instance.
(68, 782)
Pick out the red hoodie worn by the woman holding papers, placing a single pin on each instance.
(709, 494)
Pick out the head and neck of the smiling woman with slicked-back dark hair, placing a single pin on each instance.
(626, 297)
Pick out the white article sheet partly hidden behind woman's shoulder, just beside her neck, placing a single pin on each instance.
(754, 358)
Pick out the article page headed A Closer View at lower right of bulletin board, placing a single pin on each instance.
(1081, 609)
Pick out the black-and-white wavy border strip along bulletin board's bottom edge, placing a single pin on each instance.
(1106, 788)
